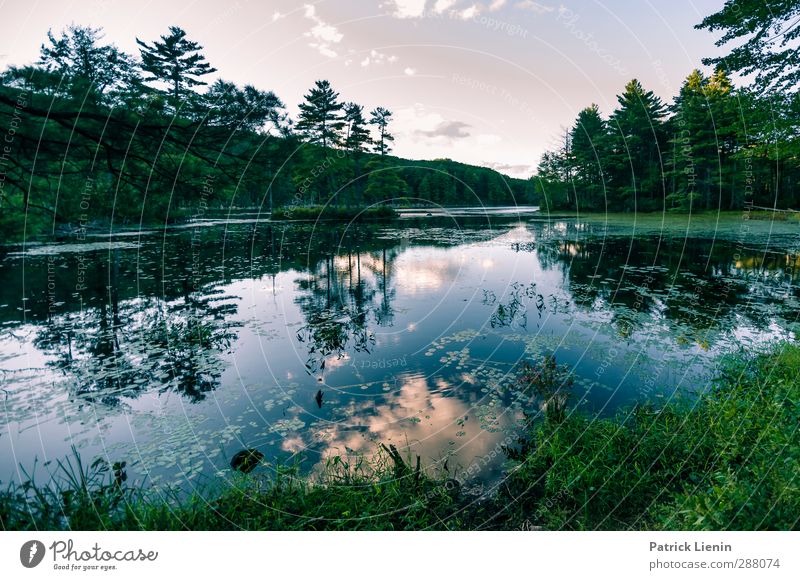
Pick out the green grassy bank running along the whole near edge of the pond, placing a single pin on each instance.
(729, 460)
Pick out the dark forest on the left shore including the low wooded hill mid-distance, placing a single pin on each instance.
(95, 135)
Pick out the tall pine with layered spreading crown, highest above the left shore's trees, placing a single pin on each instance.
(176, 61)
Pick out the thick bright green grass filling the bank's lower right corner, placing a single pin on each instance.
(729, 460)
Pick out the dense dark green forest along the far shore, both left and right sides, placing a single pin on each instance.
(94, 135)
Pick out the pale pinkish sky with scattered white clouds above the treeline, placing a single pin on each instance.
(492, 83)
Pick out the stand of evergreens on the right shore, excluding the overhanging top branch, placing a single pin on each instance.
(715, 148)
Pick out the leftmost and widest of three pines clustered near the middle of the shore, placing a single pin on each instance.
(321, 118)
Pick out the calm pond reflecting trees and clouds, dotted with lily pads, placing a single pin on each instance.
(174, 349)
